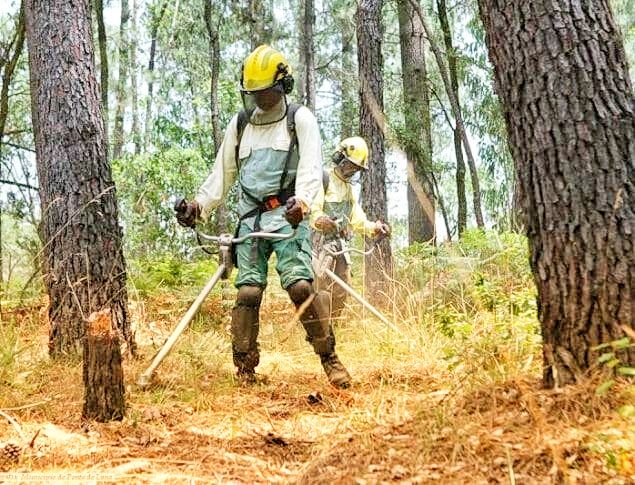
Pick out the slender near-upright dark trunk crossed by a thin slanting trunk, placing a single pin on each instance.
(461, 219)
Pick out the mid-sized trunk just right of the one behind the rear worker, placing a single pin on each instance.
(417, 138)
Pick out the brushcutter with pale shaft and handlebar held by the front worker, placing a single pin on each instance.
(225, 243)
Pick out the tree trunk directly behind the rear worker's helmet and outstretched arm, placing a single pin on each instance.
(372, 126)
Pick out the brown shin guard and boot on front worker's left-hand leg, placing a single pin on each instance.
(245, 333)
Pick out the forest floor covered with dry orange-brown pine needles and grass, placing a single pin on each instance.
(418, 412)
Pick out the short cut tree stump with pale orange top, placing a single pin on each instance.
(104, 393)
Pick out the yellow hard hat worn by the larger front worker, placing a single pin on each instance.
(263, 68)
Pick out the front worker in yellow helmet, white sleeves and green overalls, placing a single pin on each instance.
(273, 149)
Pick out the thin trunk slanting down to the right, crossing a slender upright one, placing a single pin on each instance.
(456, 112)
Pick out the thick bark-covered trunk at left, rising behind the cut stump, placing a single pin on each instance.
(83, 258)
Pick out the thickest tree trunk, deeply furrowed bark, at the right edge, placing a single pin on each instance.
(563, 79)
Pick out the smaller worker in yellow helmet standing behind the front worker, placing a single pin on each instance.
(336, 214)
